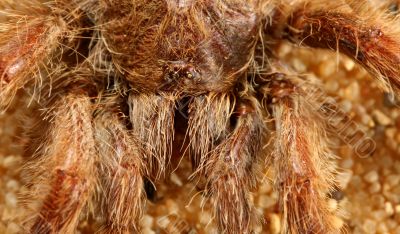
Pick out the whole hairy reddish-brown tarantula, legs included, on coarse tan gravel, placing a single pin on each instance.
(109, 75)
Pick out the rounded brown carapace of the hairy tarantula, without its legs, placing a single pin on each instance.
(188, 46)
